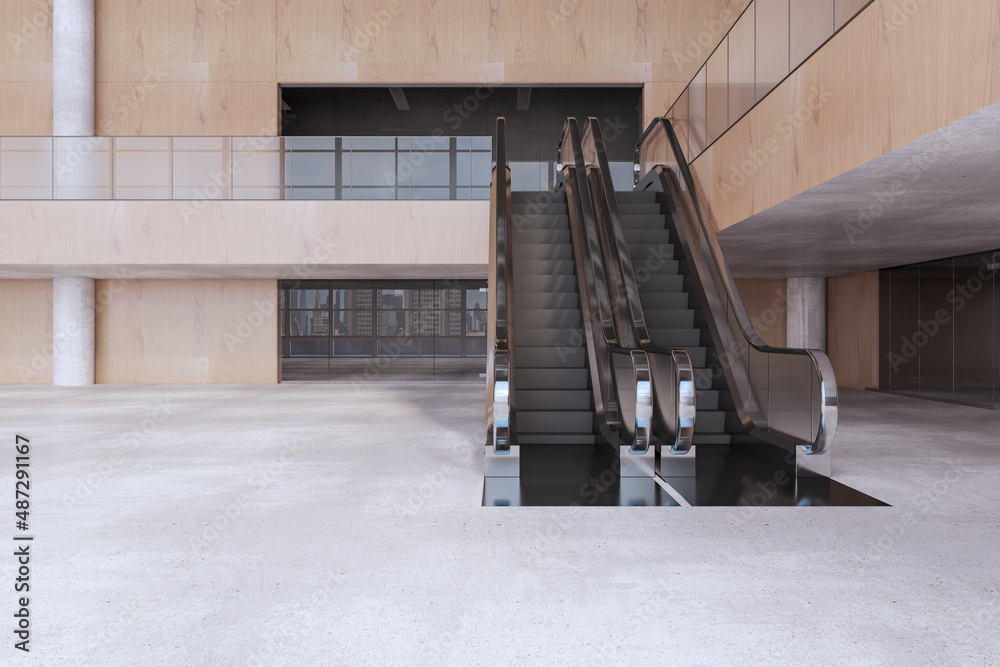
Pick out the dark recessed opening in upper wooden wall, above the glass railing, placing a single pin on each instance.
(535, 116)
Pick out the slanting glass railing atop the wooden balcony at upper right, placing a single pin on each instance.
(769, 41)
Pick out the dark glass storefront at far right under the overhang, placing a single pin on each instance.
(939, 326)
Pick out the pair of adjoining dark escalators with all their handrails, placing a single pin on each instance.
(619, 342)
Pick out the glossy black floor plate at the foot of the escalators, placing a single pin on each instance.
(727, 476)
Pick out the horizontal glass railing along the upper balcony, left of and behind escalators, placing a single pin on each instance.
(270, 168)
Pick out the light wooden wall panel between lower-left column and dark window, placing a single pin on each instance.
(187, 331)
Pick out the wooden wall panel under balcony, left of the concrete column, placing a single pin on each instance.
(25, 331)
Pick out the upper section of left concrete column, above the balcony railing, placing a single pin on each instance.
(73, 68)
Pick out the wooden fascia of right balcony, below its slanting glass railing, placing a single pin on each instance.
(897, 72)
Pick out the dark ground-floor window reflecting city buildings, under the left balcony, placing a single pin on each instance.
(370, 331)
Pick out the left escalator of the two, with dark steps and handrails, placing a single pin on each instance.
(570, 396)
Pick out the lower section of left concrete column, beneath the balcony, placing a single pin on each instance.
(73, 332)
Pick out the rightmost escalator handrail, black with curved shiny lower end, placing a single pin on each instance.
(821, 364)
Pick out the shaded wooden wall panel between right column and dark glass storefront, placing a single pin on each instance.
(852, 329)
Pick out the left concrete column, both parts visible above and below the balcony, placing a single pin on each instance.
(73, 116)
